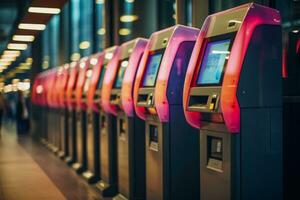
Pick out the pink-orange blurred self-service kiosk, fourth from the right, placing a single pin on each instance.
(106, 160)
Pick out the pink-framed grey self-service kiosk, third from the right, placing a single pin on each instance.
(118, 101)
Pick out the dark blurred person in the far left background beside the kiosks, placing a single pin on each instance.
(22, 114)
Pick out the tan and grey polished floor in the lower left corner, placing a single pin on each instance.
(28, 171)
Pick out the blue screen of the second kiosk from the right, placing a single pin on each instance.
(152, 67)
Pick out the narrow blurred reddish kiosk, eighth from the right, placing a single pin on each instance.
(63, 118)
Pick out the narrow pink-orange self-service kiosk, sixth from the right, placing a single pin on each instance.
(80, 164)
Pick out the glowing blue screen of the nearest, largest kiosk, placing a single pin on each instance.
(215, 56)
